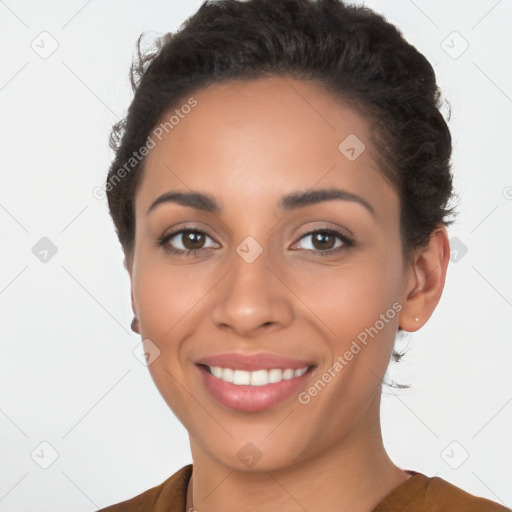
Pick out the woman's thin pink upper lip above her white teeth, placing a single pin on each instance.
(250, 362)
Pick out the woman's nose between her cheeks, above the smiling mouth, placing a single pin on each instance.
(252, 298)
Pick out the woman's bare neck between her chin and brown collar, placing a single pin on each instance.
(353, 475)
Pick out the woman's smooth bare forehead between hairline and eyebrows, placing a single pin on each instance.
(249, 142)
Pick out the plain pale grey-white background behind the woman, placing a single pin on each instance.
(75, 398)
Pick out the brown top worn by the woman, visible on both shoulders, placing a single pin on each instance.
(419, 493)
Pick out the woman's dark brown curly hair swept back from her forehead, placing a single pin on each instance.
(350, 51)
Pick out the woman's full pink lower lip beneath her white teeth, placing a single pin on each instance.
(252, 398)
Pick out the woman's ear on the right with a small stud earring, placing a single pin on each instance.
(424, 281)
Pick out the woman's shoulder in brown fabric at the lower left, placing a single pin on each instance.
(169, 496)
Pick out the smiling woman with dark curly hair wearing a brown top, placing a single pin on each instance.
(281, 192)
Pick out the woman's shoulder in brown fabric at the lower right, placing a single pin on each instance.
(421, 493)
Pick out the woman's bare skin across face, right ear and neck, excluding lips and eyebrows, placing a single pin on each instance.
(248, 144)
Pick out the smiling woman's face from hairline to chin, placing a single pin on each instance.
(272, 285)
